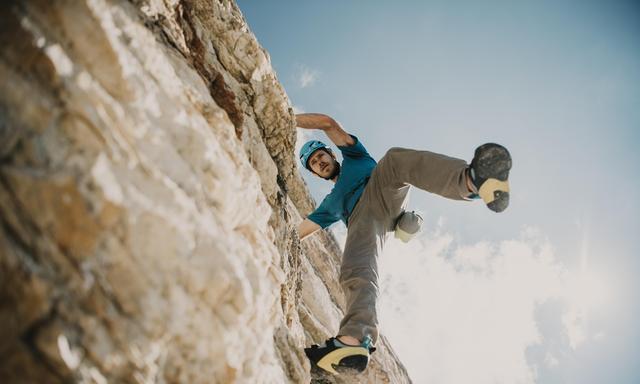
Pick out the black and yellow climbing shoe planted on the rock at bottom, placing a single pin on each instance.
(336, 357)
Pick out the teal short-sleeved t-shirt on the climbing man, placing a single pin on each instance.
(355, 171)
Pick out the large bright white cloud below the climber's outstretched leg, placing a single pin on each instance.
(466, 314)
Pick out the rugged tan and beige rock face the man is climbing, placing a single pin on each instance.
(148, 196)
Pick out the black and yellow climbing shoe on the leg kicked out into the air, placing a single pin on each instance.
(489, 172)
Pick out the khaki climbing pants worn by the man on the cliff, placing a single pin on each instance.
(374, 218)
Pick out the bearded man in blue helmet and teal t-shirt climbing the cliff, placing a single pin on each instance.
(370, 198)
